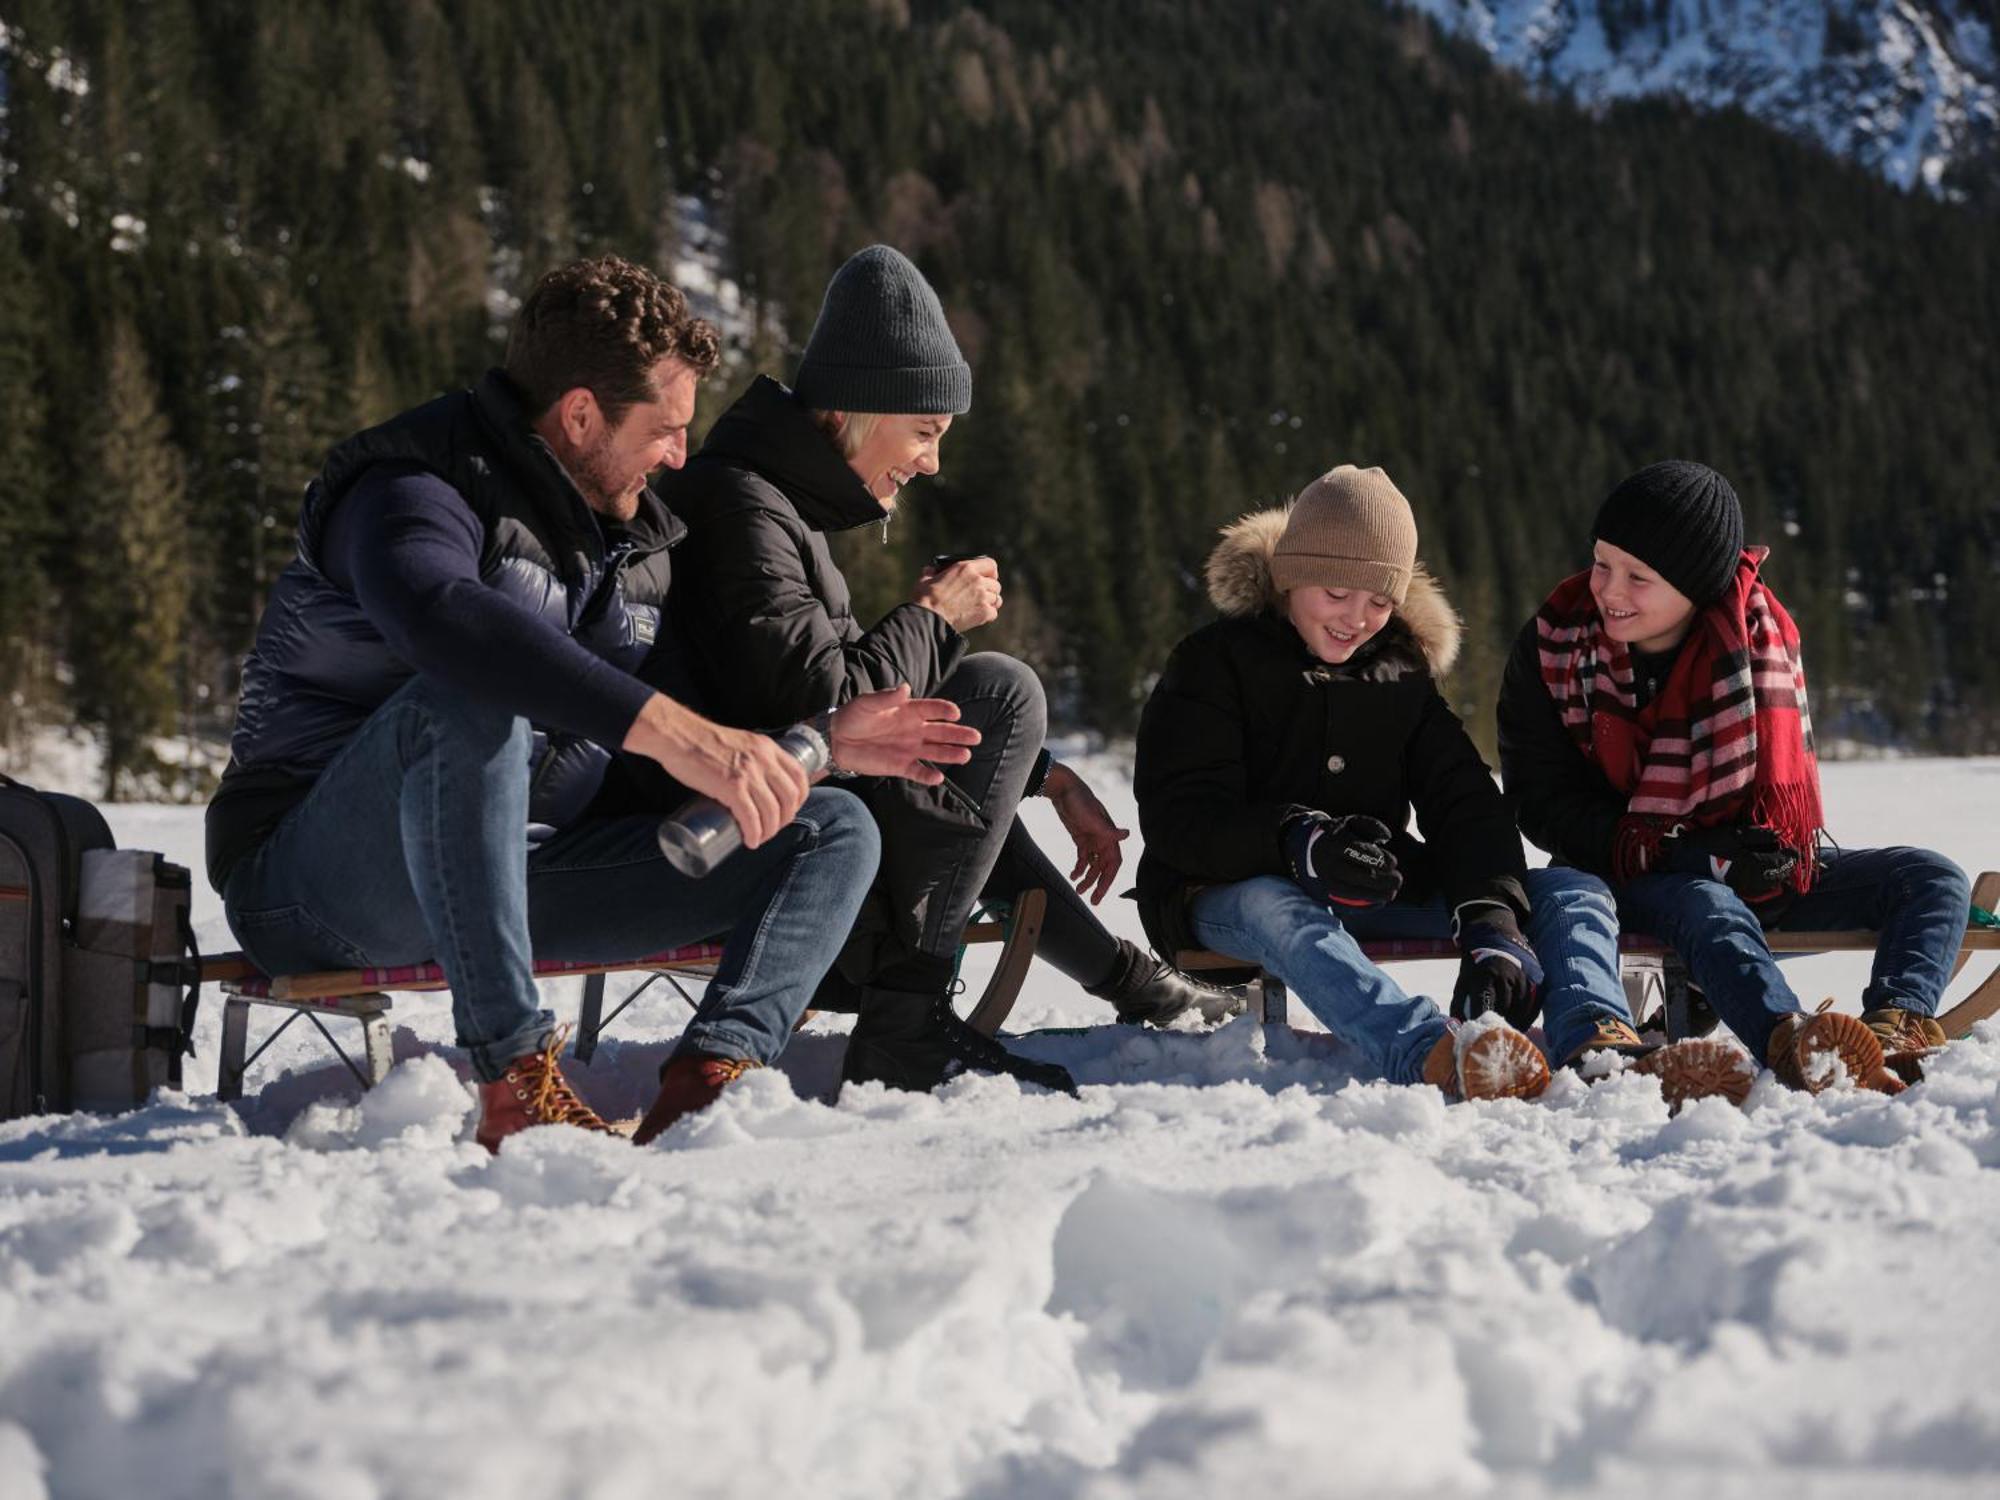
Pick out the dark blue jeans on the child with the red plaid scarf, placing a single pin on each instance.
(1915, 899)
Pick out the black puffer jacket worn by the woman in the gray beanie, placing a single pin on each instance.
(761, 599)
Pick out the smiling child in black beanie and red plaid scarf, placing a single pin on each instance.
(1655, 731)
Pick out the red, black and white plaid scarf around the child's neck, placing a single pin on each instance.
(1725, 741)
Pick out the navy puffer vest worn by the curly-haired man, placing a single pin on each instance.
(319, 669)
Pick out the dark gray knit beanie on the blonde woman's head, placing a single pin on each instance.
(881, 343)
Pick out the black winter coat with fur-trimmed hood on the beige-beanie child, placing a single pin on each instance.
(1247, 725)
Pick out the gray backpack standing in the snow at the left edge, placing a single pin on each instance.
(99, 973)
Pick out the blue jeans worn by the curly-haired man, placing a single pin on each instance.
(413, 845)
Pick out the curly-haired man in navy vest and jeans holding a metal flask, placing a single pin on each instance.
(443, 677)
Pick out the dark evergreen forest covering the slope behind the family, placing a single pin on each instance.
(1195, 251)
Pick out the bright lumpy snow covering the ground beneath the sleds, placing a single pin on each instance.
(1225, 1271)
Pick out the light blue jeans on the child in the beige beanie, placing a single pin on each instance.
(1317, 955)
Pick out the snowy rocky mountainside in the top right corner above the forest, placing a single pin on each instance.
(1907, 87)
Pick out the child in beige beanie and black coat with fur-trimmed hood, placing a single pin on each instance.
(1279, 761)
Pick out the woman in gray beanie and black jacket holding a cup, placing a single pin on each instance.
(777, 641)
